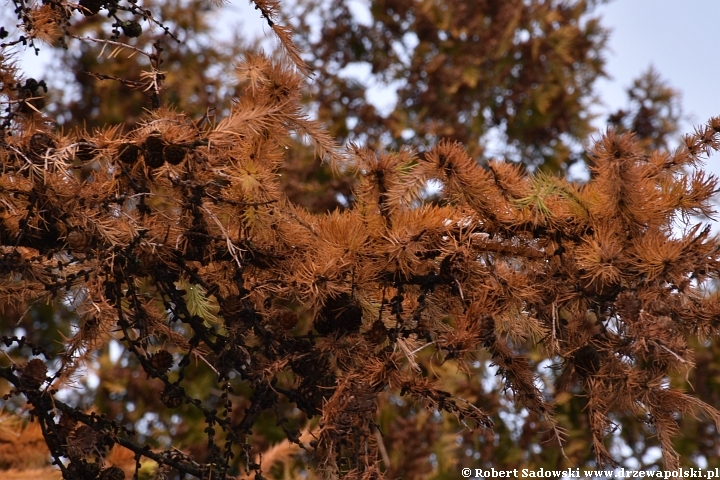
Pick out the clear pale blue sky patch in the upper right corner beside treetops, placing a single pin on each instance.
(679, 38)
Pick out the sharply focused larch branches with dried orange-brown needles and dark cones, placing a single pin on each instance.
(180, 244)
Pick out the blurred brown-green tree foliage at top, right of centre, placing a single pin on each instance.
(522, 71)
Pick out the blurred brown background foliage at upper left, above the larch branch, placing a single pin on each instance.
(109, 89)
